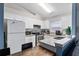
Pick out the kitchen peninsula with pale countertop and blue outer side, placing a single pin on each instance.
(59, 46)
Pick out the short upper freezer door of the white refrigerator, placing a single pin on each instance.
(15, 26)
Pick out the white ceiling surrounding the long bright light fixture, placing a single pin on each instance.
(34, 8)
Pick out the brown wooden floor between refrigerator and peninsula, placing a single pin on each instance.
(38, 51)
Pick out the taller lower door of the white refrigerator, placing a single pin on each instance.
(15, 42)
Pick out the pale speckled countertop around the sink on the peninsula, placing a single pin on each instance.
(61, 42)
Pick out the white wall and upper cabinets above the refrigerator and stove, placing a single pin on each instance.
(23, 15)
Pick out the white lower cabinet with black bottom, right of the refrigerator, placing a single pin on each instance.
(29, 42)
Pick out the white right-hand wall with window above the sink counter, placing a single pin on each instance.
(62, 21)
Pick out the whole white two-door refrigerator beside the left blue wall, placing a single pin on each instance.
(15, 35)
